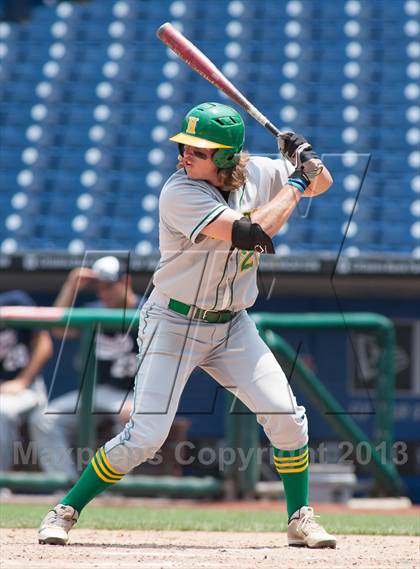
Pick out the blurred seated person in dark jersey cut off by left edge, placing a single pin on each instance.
(23, 354)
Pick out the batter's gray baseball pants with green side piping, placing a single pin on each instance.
(170, 347)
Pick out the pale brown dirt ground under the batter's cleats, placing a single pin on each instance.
(204, 550)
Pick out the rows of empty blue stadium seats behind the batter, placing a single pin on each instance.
(318, 100)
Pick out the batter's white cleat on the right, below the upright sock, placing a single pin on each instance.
(304, 531)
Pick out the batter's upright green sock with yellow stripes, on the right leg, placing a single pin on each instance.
(293, 467)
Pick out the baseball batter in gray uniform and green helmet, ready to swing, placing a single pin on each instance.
(218, 214)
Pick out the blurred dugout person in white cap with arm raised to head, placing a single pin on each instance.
(54, 427)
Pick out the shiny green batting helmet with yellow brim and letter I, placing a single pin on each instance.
(213, 125)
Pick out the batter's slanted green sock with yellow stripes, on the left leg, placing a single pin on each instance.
(96, 477)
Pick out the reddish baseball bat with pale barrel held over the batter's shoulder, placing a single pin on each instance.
(196, 59)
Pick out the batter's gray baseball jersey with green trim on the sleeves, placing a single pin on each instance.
(196, 269)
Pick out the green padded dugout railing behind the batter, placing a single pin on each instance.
(241, 427)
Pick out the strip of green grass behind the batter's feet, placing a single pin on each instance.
(197, 519)
